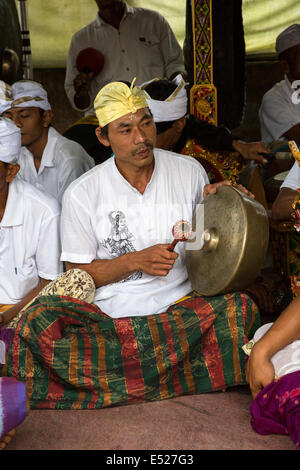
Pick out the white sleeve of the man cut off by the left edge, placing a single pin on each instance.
(48, 251)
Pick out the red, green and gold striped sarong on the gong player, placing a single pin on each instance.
(73, 356)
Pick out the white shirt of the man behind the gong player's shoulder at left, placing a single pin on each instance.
(62, 162)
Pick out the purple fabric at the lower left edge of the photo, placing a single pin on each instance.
(12, 404)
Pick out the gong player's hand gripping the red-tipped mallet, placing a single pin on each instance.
(156, 260)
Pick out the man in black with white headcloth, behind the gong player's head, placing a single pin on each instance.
(168, 103)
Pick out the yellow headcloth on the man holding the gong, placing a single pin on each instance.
(116, 100)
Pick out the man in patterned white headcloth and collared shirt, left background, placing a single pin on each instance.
(48, 160)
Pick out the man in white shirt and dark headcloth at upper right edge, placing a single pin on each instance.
(279, 113)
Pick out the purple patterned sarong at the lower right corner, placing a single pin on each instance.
(276, 408)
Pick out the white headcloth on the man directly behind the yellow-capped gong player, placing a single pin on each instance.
(174, 107)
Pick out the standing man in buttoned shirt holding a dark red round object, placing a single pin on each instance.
(135, 42)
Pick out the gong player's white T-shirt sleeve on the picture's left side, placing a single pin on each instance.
(79, 245)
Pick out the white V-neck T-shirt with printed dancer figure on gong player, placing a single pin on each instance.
(103, 217)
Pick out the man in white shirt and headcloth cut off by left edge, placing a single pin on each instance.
(29, 231)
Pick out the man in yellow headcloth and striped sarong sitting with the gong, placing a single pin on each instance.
(140, 340)
